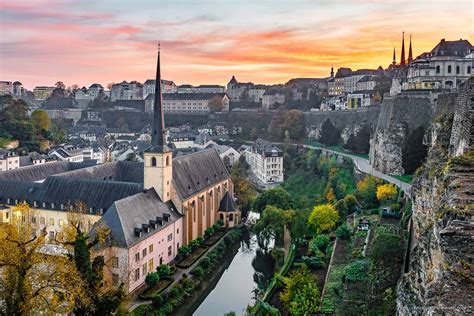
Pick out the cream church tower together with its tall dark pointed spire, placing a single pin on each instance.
(158, 169)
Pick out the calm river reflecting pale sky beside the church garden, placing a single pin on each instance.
(234, 290)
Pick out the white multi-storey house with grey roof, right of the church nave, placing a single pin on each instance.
(266, 161)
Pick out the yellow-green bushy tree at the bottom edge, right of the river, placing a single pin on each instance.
(300, 295)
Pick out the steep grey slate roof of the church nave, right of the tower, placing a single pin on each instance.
(195, 172)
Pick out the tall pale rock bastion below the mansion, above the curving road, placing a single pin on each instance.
(399, 116)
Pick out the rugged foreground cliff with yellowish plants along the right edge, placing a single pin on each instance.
(440, 280)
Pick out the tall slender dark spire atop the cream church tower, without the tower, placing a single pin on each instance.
(157, 136)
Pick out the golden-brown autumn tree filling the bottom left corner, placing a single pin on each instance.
(32, 280)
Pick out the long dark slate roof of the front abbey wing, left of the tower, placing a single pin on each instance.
(94, 193)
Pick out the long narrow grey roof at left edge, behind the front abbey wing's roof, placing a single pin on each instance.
(41, 172)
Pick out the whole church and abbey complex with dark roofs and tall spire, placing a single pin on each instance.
(151, 208)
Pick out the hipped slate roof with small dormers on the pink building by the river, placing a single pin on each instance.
(132, 212)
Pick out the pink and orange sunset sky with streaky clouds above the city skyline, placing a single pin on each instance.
(204, 42)
